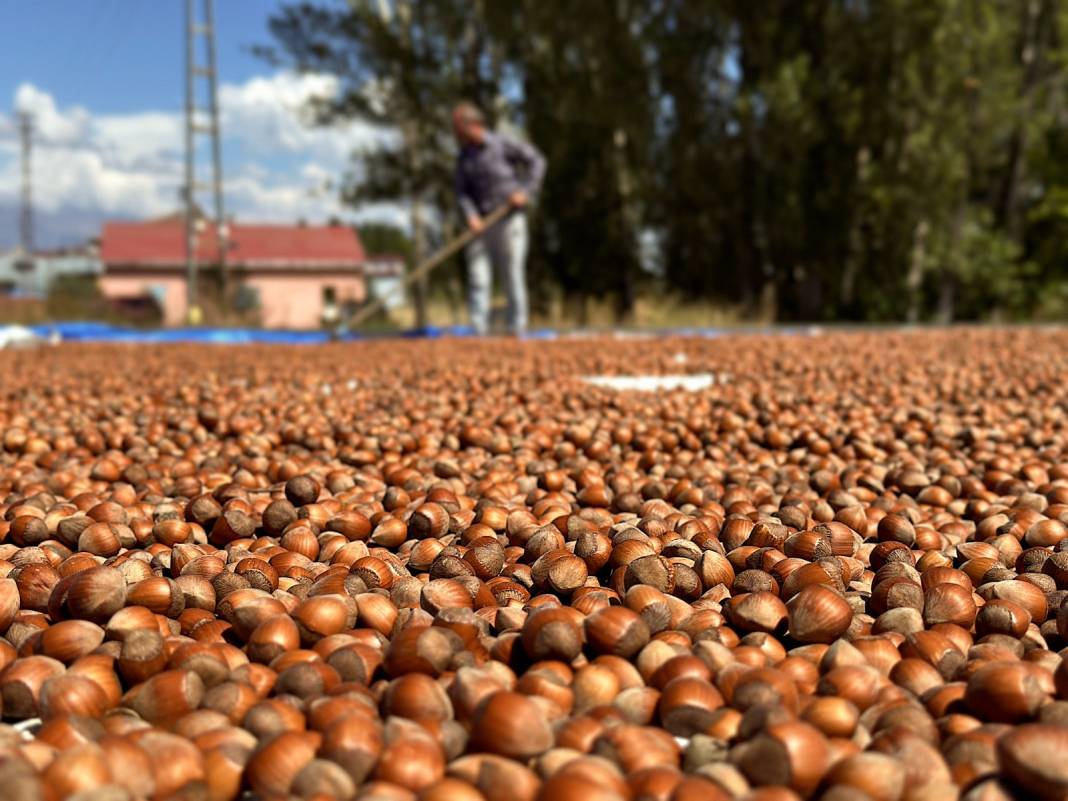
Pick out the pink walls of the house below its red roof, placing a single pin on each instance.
(287, 301)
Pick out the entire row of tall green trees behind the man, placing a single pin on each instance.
(900, 160)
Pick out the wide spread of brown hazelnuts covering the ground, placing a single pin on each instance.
(456, 571)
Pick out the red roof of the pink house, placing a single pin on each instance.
(163, 244)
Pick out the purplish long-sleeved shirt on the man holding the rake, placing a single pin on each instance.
(489, 174)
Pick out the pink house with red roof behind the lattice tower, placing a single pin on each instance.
(295, 276)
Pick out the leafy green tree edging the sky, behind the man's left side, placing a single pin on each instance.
(401, 65)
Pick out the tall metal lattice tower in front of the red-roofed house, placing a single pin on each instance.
(195, 125)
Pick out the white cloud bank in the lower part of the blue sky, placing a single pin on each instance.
(277, 166)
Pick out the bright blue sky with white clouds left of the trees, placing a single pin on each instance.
(105, 82)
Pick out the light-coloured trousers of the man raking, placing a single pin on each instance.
(504, 249)
